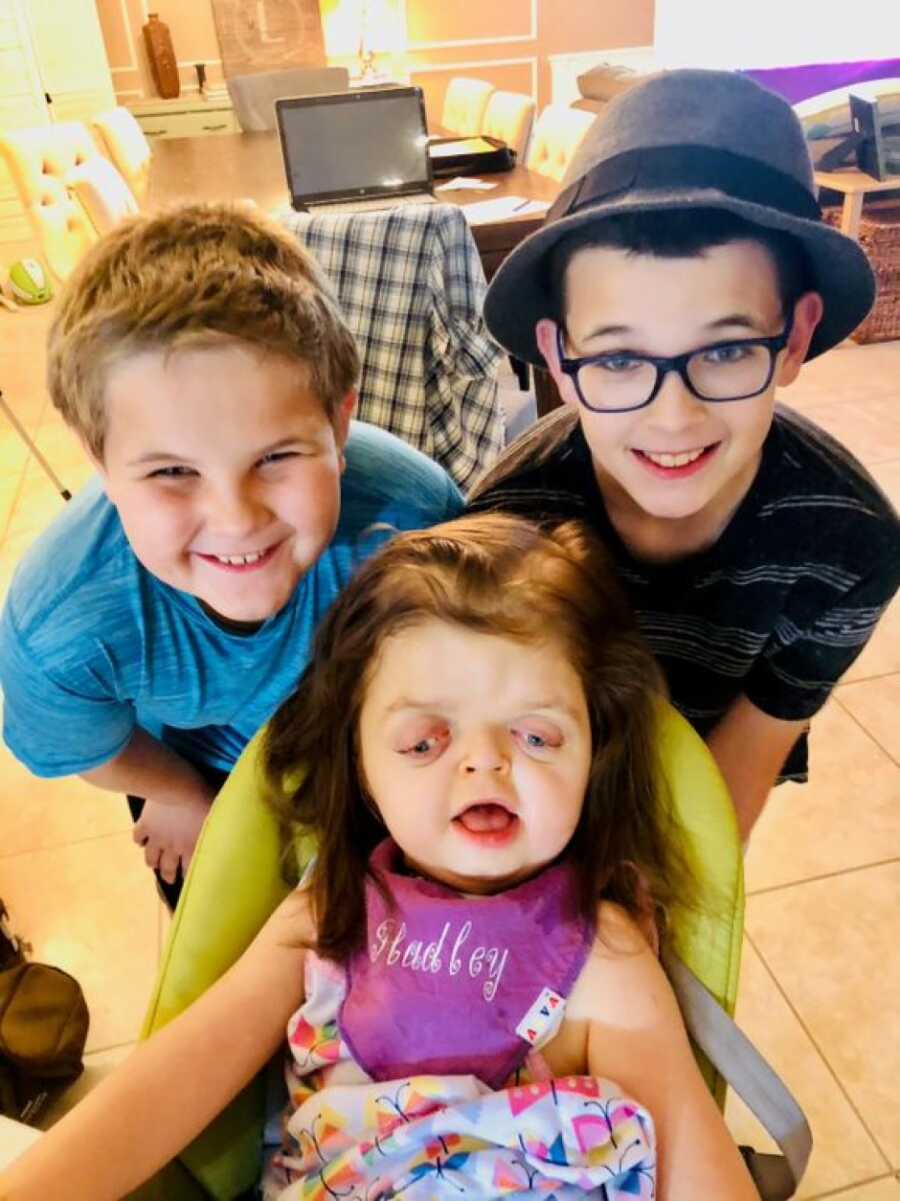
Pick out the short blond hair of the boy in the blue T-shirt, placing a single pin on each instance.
(200, 276)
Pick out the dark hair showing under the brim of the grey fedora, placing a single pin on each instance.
(680, 234)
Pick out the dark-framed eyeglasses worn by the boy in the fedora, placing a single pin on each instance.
(619, 381)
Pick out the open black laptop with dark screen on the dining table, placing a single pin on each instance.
(356, 150)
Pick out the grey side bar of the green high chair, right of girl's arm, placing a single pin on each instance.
(735, 1056)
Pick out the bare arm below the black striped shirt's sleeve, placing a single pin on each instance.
(750, 749)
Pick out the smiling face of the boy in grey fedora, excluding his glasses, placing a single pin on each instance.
(673, 473)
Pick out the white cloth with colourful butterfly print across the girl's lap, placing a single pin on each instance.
(451, 1138)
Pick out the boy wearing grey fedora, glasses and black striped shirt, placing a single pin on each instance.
(682, 277)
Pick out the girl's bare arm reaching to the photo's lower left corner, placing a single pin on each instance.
(164, 1095)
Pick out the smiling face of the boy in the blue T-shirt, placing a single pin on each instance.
(225, 473)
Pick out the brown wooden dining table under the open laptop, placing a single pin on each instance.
(249, 165)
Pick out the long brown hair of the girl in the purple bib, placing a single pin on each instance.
(503, 576)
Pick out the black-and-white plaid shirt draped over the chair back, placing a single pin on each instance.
(412, 286)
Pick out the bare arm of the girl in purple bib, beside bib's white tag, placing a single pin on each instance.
(636, 1038)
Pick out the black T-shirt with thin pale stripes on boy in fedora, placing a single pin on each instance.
(779, 607)
